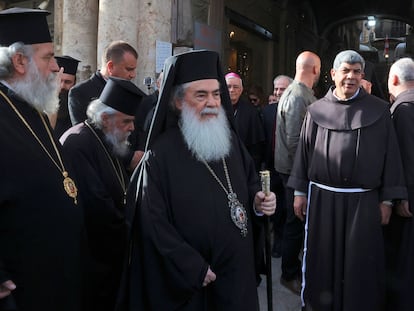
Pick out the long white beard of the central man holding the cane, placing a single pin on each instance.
(208, 140)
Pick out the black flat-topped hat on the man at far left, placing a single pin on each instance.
(24, 25)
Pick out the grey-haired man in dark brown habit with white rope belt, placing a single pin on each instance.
(348, 164)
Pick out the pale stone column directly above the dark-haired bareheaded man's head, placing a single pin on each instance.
(117, 21)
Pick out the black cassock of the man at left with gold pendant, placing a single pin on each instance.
(41, 229)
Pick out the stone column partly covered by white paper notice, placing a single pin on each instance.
(154, 23)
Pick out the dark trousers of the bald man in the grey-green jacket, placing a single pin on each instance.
(292, 237)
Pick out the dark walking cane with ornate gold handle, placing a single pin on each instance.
(265, 179)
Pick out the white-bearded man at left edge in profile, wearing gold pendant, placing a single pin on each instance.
(41, 223)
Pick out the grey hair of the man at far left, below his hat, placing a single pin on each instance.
(6, 54)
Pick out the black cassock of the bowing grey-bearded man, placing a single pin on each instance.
(103, 204)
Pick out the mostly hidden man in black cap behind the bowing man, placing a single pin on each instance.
(61, 121)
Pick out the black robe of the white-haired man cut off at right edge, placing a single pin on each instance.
(400, 231)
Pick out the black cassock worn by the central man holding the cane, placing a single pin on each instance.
(184, 225)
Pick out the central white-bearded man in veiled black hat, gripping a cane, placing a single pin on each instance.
(197, 198)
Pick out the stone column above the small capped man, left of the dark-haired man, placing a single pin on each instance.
(79, 32)
